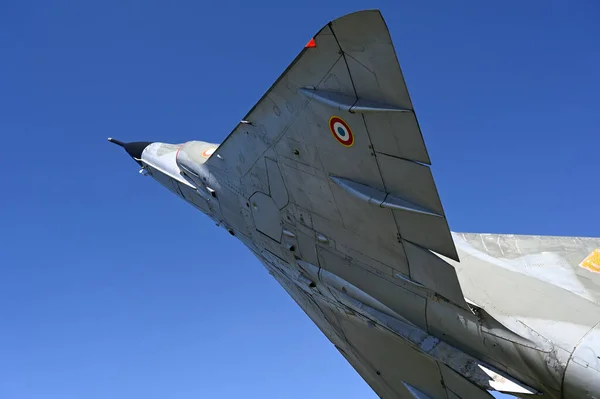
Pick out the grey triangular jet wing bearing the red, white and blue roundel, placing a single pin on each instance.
(335, 164)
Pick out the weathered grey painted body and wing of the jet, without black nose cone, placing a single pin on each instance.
(357, 235)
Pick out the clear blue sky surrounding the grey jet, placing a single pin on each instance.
(111, 287)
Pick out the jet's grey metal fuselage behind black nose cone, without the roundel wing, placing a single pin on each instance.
(532, 321)
